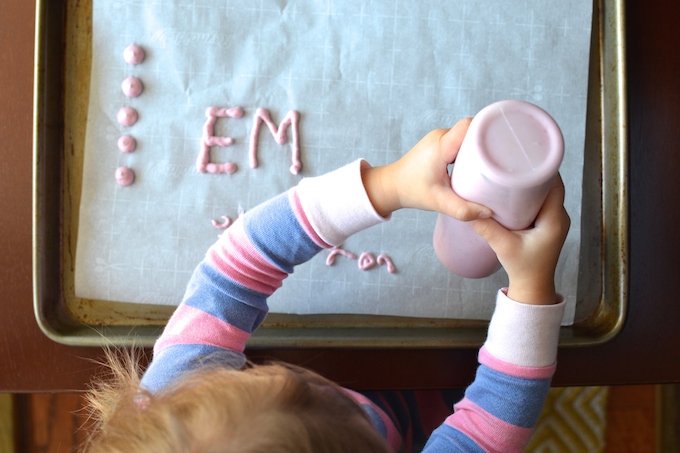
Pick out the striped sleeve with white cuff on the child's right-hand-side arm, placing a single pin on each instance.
(501, 407)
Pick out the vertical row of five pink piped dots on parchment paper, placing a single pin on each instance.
(127, 116)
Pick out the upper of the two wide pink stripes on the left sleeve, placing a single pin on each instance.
(235, 257)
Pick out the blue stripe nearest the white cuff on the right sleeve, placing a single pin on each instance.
(514, 400)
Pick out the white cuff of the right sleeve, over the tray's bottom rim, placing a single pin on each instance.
(524, 334)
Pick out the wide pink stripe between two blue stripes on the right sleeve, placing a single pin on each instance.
(489, 432)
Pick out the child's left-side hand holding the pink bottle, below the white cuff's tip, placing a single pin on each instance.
(420, 178)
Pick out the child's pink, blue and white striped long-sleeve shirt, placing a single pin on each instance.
(226, 301)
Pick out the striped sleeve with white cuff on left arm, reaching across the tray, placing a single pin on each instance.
(226, 298)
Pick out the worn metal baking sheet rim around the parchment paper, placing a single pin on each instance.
(63, 56)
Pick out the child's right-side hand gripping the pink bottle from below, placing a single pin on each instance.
(530, 256)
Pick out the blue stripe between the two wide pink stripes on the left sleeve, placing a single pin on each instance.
(211, 291)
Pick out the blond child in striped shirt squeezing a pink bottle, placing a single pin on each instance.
(197, 396)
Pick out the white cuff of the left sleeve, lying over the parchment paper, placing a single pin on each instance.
(336, 204)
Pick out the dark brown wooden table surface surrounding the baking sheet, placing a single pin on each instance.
(645, 352)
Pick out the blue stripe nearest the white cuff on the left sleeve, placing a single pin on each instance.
(276, 233)
